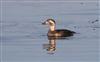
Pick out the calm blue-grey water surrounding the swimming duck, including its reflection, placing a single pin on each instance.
(24, 37)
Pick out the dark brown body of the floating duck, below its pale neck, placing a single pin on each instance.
(61, 33)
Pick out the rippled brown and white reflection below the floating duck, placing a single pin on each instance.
(51, 46)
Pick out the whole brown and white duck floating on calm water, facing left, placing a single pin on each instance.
(53, 32)
